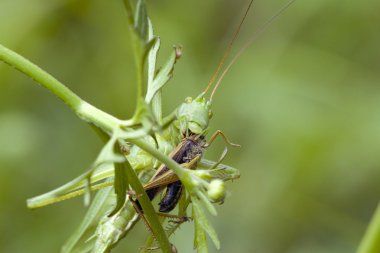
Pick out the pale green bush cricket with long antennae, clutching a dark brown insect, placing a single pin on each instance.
(187, 143)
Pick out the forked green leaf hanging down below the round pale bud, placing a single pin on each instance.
(202, 226)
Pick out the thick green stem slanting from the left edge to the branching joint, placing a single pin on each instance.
(83, 109)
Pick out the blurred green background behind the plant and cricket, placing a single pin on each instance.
(303, 101)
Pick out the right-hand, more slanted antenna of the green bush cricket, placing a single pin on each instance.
(248, 44)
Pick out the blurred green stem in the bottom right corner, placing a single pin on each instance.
(371, 240)
